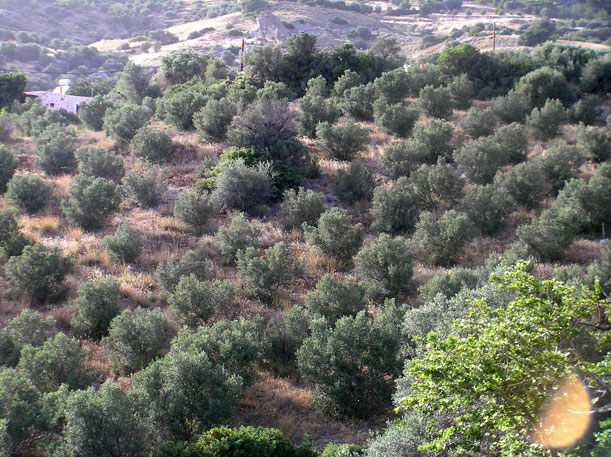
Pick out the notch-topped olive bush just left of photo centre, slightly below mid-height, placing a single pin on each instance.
(264, 277)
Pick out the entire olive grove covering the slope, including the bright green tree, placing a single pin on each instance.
(450, 173)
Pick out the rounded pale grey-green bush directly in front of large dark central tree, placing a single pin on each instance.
(243, 188)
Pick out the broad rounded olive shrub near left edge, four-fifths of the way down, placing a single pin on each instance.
(60, 360)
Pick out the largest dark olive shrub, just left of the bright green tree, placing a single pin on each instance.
(358, 386)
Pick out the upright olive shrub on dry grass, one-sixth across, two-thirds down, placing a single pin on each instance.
(98, 304)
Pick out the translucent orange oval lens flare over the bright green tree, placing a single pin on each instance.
(565, 416)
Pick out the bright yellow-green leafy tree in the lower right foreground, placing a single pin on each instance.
(544, 327)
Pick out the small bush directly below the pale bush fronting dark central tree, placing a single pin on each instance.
(239, 235)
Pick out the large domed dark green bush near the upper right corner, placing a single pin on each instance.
(539, 86)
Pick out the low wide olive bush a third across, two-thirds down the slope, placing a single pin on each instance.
(195, 303)
